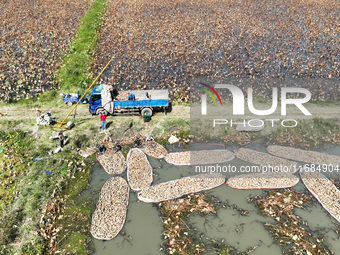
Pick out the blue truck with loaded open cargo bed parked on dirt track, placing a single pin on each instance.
(144, 102)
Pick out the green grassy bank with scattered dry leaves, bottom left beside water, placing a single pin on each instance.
(39, 189)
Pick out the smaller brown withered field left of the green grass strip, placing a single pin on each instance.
(33, 38)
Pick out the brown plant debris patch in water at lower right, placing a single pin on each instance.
(289, 231)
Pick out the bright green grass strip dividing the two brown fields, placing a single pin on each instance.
(76, 70)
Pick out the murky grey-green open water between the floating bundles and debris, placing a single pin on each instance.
(142, 232)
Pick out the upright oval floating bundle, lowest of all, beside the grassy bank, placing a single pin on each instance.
(109, 216)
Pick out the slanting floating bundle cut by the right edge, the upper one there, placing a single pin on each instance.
(303, 155)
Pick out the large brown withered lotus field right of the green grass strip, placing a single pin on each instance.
(168, 43)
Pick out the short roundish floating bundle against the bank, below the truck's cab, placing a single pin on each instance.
(113, 162)
